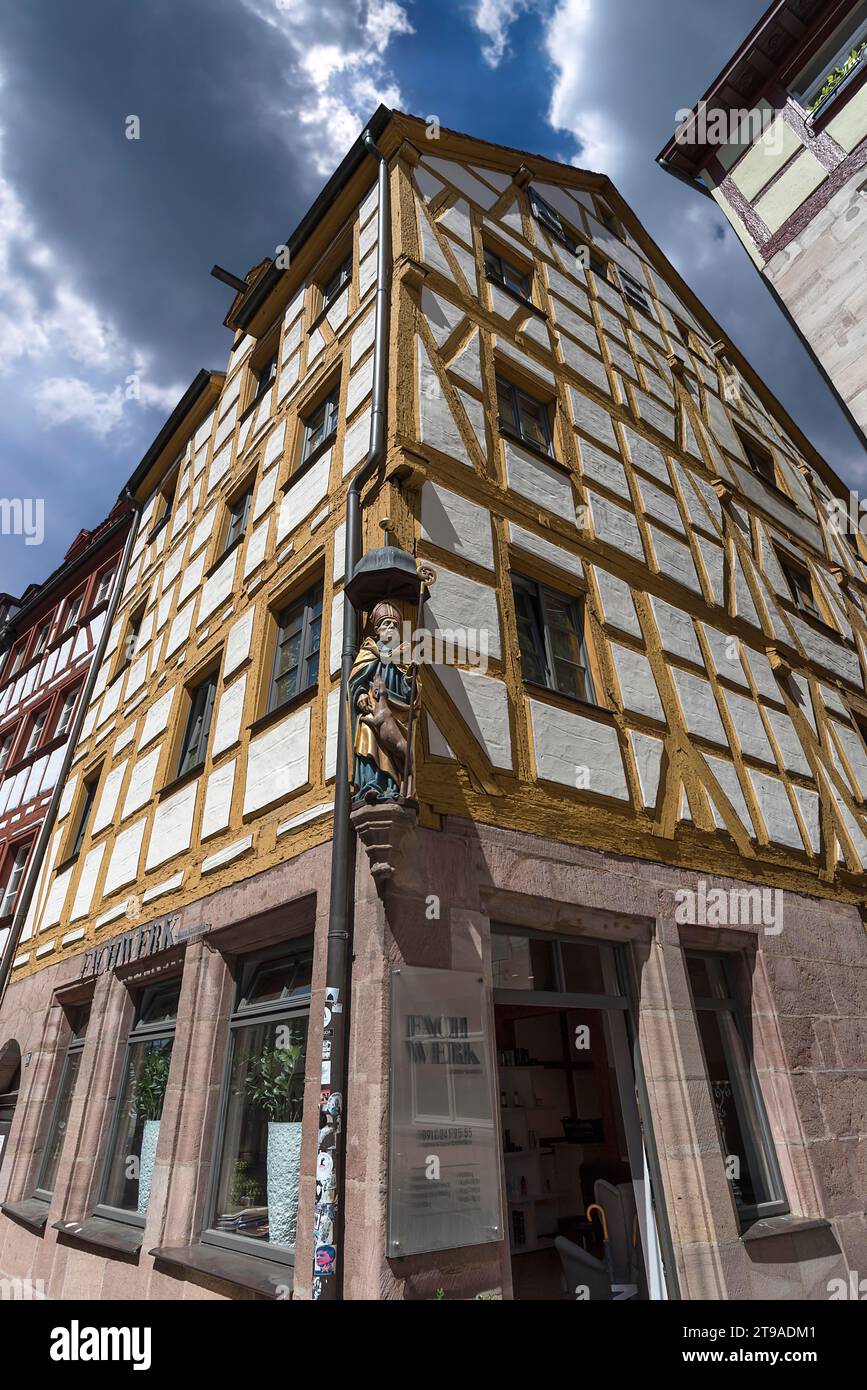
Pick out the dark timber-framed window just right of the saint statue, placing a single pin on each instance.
(551, 640)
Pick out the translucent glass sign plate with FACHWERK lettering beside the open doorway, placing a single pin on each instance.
(444, 1164)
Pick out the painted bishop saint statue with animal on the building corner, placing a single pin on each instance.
(380, 693)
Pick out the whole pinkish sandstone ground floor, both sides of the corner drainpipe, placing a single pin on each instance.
(572, 1075)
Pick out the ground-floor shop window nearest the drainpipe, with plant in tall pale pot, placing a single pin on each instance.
(254, 1200)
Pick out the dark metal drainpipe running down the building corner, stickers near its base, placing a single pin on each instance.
(341, 913)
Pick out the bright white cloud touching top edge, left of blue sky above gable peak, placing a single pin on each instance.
(337, 72)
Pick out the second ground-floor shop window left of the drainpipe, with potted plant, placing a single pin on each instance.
(126, 1188)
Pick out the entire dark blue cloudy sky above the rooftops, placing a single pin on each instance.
(245, 106)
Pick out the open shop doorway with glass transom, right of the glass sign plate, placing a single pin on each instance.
(581, 1218)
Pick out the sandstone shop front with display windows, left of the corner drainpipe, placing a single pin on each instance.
(167, 1115)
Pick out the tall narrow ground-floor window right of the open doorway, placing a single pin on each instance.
(740, 1113)
